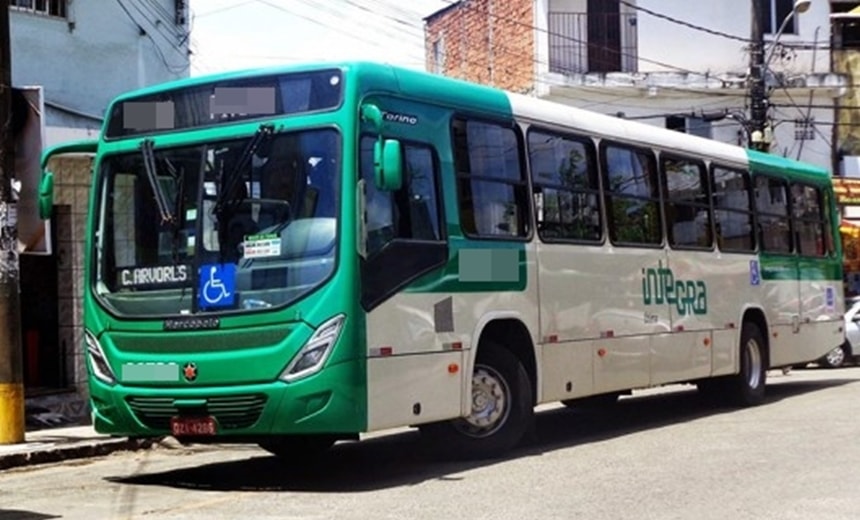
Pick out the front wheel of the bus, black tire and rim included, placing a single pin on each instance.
(502, 409)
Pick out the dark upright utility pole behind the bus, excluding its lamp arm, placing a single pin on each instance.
(759, 104)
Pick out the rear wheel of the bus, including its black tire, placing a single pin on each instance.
(746, 388)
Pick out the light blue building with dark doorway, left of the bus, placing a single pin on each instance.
(69, 59)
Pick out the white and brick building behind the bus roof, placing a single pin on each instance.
(672, 63)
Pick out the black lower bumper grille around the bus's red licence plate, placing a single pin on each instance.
(231, 412)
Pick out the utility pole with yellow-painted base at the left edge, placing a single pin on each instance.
(11, 367)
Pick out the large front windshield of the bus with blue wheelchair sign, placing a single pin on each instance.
(225, 226)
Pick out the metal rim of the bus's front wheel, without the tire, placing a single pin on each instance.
(490, 403)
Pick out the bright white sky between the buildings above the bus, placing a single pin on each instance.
(237, 34)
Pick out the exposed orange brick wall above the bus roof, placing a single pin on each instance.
(485, 41)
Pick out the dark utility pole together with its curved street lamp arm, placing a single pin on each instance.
(760, 133)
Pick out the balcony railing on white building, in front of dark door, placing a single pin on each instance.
(580, 43)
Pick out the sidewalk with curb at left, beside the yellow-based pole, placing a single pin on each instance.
(58, 444)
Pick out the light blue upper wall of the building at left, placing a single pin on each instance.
(97, 52)
